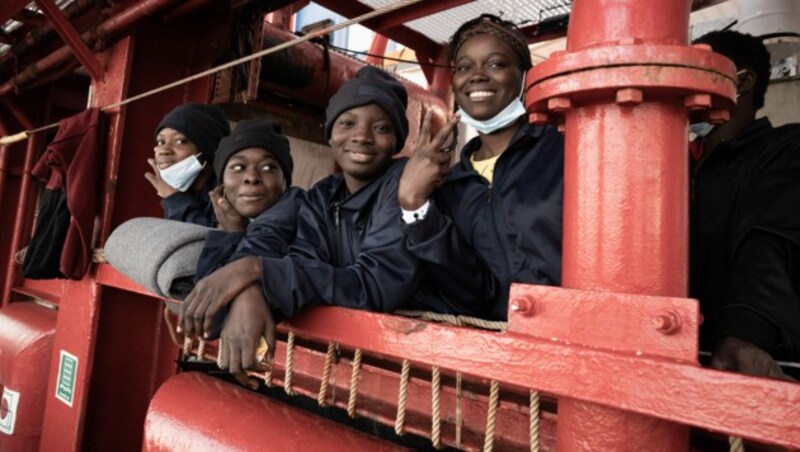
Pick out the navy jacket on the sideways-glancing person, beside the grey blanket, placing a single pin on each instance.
(270, 235)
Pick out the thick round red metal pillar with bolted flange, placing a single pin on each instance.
(624, 89)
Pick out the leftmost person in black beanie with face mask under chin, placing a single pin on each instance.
(182, 175)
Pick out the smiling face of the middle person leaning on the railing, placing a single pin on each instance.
(363, 142)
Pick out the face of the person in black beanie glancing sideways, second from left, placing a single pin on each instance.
(253, 181)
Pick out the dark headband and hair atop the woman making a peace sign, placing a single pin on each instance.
(504, 30)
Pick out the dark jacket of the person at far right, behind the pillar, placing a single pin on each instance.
(745, 240)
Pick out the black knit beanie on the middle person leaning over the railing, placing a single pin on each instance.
(372, 85)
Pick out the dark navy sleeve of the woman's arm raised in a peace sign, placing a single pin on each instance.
(455, 268)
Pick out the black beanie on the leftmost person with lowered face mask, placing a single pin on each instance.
(204, 125)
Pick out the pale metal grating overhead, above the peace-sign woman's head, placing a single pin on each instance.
(439, 27)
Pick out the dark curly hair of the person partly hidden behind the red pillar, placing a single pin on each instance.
(747, 52)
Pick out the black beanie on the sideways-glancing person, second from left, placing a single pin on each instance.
(255, 133)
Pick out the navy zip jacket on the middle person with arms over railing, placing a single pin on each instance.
(350, 251)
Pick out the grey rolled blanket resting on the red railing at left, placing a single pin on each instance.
(160, 255)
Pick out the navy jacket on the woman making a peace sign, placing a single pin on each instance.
(479, 237)
